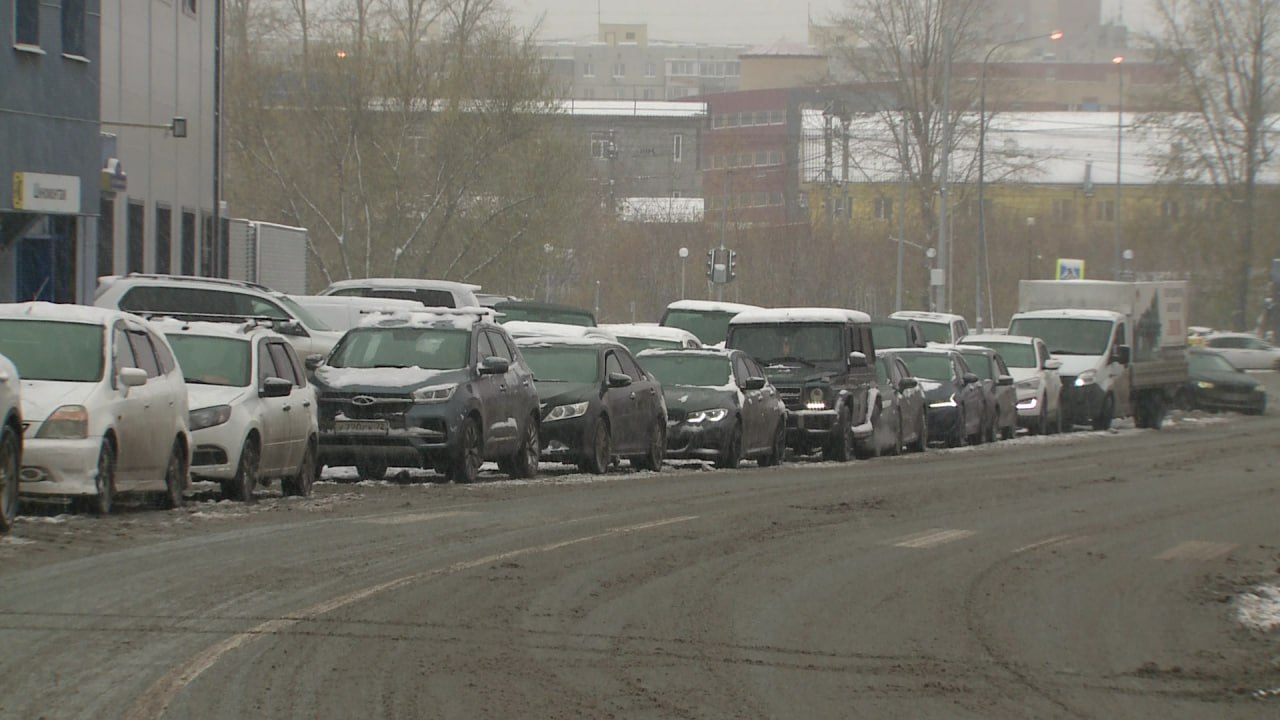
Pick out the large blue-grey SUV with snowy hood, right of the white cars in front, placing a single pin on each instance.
(445, 390)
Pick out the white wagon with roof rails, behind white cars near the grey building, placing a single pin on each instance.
(214, 299)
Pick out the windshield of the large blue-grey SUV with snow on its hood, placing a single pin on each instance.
(433, 349)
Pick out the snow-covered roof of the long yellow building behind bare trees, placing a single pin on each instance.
(1023, 148)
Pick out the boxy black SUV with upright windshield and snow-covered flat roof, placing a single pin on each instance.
(824, 363)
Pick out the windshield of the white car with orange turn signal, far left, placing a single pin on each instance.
(53, 350)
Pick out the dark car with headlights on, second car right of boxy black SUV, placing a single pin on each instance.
(952, 390)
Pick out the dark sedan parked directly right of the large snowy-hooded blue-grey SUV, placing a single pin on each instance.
(597, 404)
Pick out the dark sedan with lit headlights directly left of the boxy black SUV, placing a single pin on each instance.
(720, 407)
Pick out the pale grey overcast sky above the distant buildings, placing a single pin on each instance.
(714, 21)
